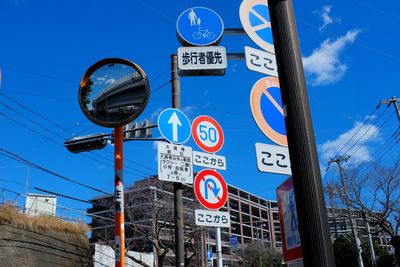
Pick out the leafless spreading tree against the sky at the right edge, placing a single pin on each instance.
(375, 196)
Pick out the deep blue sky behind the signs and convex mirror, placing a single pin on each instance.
(350, 53)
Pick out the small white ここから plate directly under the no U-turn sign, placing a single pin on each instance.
(212, 218)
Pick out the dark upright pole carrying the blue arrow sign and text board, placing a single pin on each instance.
(178, 190)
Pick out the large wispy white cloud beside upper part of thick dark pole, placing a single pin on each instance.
(324, 65)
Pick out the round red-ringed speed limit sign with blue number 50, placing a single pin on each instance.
(207, 134)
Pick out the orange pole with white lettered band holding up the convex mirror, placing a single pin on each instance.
(119, 198)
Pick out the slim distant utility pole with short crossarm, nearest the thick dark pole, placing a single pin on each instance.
(356, 244)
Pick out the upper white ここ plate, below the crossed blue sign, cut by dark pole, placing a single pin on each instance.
(261, 61)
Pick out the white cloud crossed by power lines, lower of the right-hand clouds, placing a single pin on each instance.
(357, 146)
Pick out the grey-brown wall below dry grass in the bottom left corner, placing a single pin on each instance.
(19, 247)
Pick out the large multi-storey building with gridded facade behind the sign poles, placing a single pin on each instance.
(149, 225)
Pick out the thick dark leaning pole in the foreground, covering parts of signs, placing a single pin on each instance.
(310, 202)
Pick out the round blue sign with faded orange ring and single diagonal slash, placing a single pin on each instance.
(268, 112)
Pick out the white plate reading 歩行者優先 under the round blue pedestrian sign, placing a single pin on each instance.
(202, 58)
